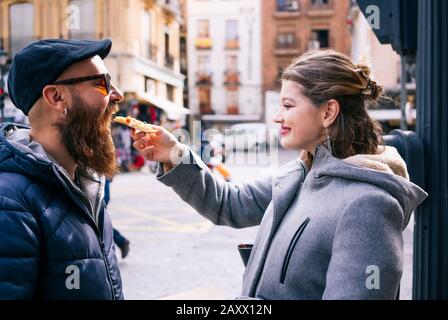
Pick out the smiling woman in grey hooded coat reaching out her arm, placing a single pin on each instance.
(331, 222)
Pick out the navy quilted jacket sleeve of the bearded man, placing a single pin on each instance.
(19, 251)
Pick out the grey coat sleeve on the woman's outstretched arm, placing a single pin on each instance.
(234, 205)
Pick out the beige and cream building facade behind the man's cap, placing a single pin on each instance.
(145, 58)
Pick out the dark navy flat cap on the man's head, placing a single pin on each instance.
(42, 62)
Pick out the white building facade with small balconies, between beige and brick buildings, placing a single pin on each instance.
(224, 60)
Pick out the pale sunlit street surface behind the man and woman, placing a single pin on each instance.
(175, 252)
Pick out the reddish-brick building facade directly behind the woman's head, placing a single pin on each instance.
(292, 27)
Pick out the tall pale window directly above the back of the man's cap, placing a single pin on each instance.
(22, 26)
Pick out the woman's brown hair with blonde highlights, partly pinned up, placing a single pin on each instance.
(326, 75)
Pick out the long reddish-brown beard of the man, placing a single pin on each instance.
(87, 137)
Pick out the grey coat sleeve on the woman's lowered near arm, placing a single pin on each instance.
(367, 250)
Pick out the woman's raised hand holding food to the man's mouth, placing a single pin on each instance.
(160, 146)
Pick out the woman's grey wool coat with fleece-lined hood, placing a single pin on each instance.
(334, 232)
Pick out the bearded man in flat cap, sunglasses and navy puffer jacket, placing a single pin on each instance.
(56, 238)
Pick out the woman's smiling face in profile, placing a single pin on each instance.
(301, 122)
